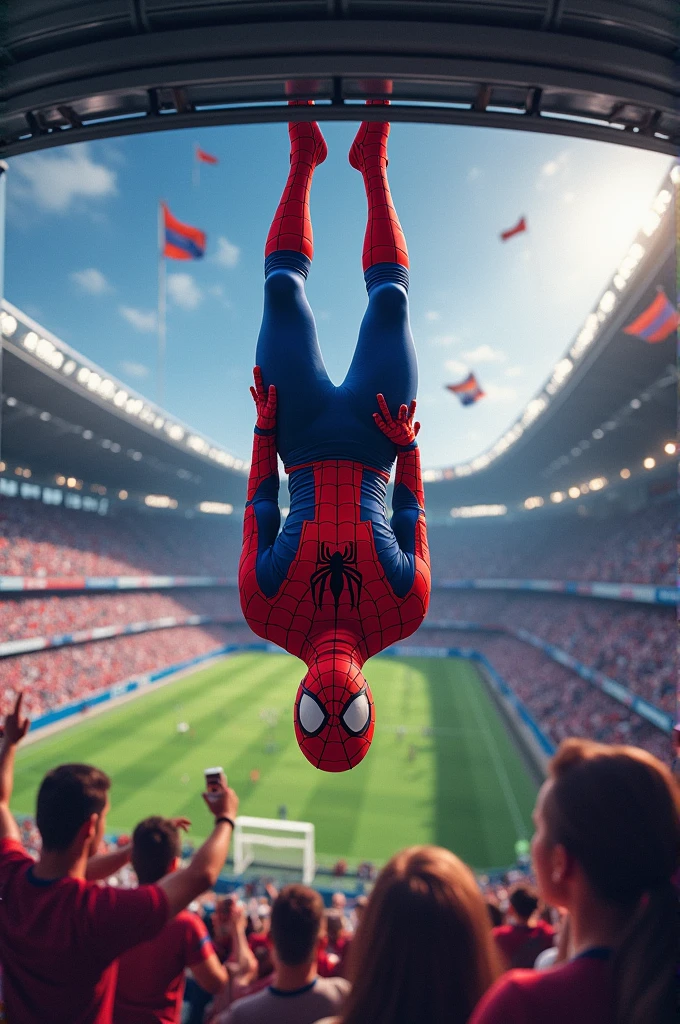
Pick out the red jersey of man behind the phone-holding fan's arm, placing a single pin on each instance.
(151, 977)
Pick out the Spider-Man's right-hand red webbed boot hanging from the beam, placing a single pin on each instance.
(385, 242)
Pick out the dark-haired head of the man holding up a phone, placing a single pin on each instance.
(73, 802)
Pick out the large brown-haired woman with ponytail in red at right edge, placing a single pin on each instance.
(607, 846)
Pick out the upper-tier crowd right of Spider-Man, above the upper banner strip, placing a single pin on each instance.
(636, 548)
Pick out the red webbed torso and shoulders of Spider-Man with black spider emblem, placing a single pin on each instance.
(336, 585)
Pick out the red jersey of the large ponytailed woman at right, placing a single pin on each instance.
(581, 991)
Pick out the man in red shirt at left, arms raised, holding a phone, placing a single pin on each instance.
(62, 934)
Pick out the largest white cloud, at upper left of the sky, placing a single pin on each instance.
(53, 182)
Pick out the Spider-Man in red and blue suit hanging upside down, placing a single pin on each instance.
(339, 583)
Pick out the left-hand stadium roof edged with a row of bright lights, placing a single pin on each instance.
(63, 414)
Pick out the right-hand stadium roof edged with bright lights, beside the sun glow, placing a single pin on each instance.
(610, 403)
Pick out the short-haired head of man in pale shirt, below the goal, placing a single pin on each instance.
(297, 922)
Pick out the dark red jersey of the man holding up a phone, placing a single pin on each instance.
(60, 942)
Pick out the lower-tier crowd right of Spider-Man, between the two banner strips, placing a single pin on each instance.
(634, 645)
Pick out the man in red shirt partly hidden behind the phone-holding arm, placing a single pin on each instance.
(151, 977)
